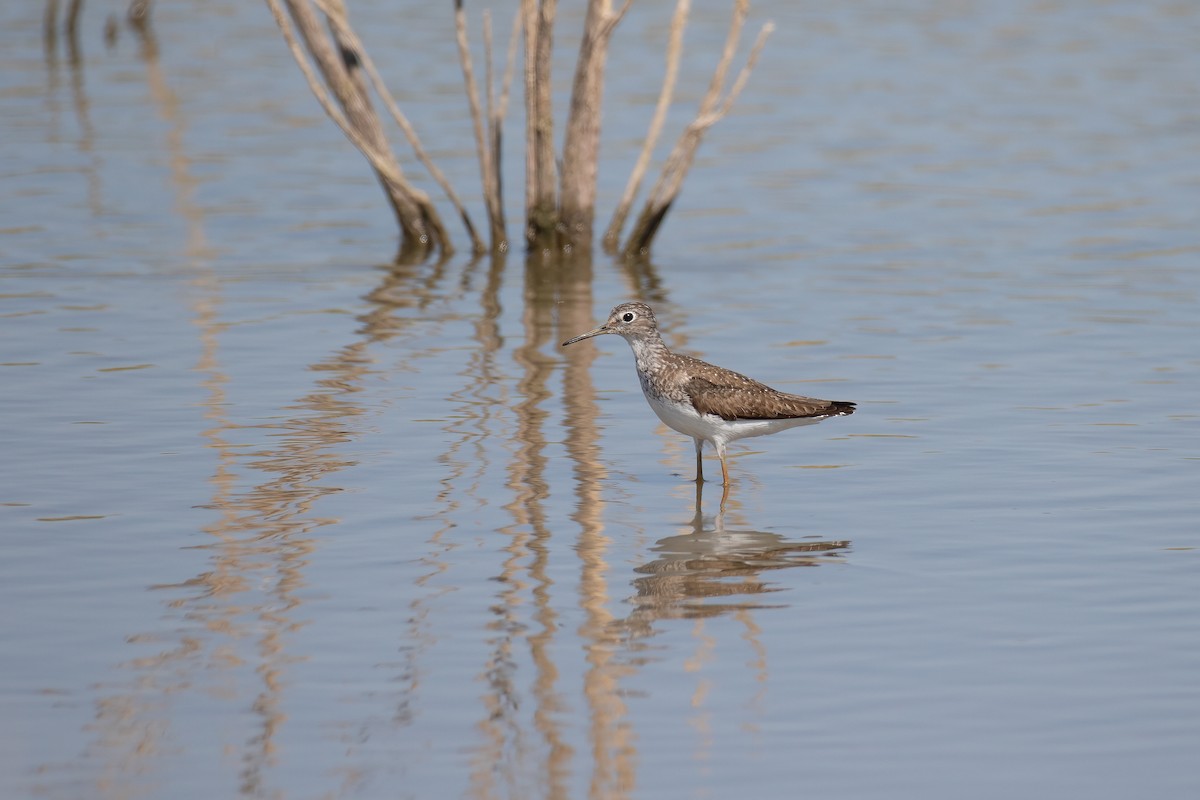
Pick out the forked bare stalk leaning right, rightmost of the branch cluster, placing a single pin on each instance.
(682, 157)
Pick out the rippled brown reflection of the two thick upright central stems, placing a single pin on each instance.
(557, 298)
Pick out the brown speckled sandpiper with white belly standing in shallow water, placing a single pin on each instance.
(701, 400)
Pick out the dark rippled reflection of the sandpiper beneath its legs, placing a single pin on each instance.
(716, 569)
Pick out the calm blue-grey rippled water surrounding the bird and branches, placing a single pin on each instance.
(283, 520)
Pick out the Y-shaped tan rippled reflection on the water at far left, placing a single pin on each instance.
(237, 618)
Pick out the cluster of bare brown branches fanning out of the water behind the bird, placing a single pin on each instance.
(560, 197)
